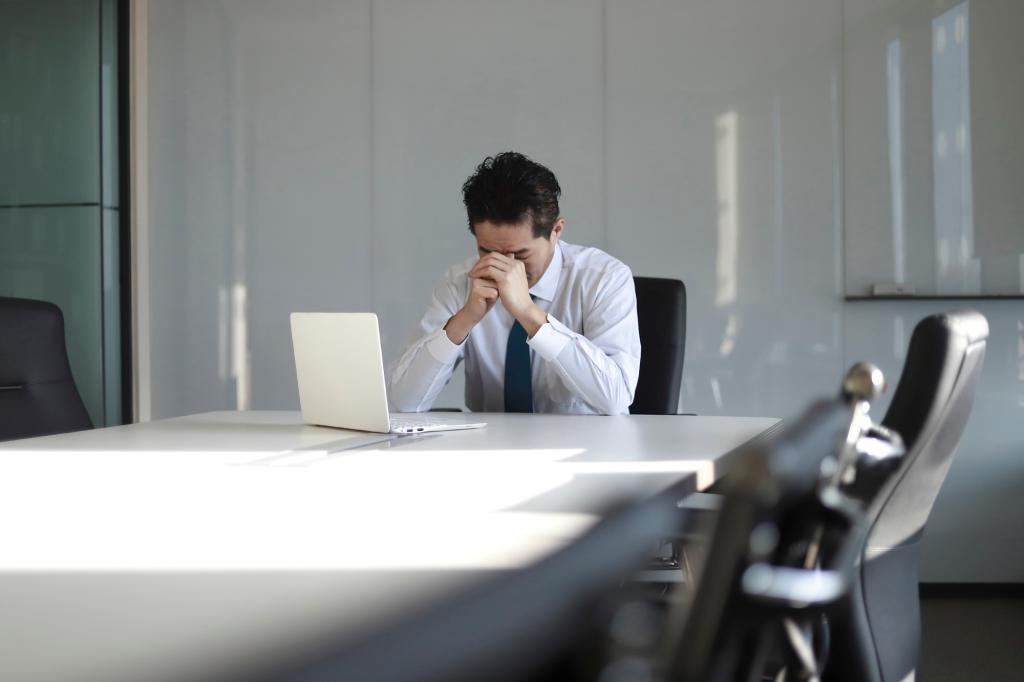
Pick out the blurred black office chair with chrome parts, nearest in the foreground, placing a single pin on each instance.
(786, 546)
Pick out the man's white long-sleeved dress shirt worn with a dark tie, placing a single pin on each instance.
(585, 360)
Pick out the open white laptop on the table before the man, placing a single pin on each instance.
(340, 371)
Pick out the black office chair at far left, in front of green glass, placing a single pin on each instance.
(37, 392)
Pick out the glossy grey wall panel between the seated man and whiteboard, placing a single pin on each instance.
(723, 168)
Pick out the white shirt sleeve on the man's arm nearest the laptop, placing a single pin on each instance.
(431, 358)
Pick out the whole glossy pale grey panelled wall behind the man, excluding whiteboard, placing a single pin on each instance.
(311, 153)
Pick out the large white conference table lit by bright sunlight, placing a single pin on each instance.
(202, 546)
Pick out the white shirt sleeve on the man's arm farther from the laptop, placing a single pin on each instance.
(602, 366)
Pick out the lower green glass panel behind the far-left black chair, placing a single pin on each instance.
(54, 254)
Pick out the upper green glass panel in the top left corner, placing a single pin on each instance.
(50, 106)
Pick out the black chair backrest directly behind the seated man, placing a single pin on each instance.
(662, 316)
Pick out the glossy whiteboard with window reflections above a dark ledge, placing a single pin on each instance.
(934, 155)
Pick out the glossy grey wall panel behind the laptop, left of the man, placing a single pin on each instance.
(261, 191)
